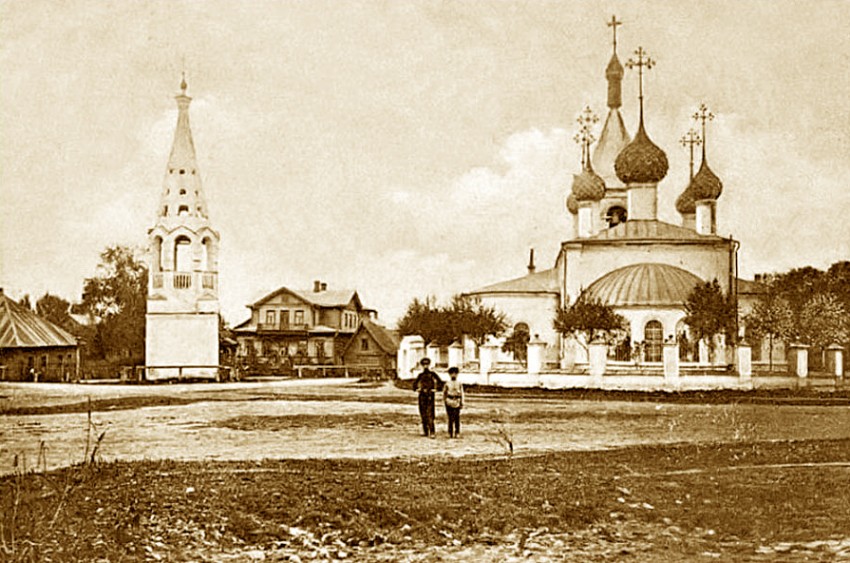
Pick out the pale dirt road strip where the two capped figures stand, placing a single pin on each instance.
(301, 419)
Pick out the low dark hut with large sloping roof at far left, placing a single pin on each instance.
(33, 348)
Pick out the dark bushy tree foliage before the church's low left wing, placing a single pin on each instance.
(446, 324)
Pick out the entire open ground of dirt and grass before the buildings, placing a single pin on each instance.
(329, 470)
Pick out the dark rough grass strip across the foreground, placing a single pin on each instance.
(120, 510)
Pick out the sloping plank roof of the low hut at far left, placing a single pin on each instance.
(21, 328)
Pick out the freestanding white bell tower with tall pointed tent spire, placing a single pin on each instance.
(182, 319)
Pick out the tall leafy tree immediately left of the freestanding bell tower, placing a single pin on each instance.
(115, 297)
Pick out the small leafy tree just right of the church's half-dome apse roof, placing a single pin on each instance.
(709, 312)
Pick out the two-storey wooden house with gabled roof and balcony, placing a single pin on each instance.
(290, 327)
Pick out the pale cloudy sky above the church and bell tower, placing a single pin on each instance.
(404, 148)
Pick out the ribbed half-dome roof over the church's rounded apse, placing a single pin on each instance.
(643, 284)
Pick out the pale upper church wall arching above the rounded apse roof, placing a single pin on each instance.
(590, 262)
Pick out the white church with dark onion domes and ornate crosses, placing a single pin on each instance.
(620, 253)
